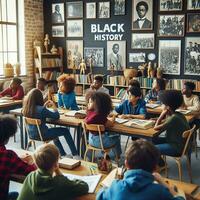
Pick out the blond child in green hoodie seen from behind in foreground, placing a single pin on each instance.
(48, 182)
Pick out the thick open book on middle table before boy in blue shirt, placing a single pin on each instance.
(140, 123)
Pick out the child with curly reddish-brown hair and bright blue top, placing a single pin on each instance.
(66, 94)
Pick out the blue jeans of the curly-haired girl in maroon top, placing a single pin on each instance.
(108, 141)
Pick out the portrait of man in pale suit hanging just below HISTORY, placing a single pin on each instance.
(116, 55)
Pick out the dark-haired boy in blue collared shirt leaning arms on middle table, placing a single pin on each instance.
(134, 107)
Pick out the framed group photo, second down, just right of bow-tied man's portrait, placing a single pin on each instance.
(171, 25)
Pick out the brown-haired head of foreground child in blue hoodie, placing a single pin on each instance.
(142, 155)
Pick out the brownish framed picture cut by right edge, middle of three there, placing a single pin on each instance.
(193, 23)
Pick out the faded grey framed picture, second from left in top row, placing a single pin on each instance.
(74, 9)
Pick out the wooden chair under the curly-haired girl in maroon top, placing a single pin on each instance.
(99, 129)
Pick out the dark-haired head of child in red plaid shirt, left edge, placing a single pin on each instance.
(8, 128)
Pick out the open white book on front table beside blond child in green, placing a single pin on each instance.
(92, 180)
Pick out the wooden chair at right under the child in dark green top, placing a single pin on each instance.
(187, 135)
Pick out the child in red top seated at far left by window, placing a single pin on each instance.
(15, 90)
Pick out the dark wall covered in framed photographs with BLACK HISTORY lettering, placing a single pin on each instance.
(118, 34)
